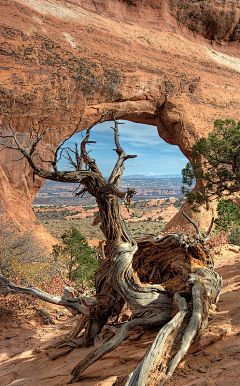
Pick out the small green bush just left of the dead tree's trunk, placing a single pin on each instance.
(79, 257)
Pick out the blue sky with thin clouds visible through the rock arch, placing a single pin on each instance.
(155, 157)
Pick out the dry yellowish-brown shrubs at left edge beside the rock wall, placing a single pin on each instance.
(25, 262)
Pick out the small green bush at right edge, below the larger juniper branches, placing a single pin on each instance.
(228, 215)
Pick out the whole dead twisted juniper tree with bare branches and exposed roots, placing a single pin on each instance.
(167, 282)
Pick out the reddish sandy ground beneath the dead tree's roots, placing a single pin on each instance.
(213, 361)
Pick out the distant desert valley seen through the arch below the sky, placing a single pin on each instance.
(156, 202)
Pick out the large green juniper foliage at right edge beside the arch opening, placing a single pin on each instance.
(215, 163)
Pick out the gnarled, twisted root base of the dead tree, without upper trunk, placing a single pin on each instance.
(184, 276)
